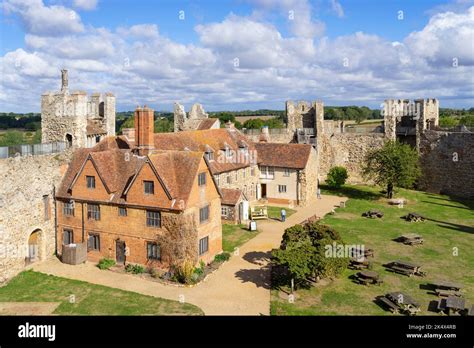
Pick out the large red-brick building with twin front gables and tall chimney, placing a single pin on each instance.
(138, 204)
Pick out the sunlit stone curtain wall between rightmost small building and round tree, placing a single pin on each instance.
(348, 150)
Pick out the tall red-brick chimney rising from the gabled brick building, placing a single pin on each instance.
(144, 130)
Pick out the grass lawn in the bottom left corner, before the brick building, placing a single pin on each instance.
(90, 299)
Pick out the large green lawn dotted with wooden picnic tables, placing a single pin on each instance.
(448, 228)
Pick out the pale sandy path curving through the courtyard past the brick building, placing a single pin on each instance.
(241, 286)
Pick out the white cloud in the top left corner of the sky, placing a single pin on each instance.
(44, 20)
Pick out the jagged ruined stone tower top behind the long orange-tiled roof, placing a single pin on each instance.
(196, 119)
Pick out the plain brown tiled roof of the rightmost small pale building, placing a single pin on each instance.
(294, 156)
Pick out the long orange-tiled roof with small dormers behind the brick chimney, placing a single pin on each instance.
(214, 139)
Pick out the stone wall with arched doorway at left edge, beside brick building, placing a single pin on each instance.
(26, 182)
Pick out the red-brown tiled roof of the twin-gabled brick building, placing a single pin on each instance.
(118, 167)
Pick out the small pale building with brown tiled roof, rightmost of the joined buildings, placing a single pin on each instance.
(288, 172)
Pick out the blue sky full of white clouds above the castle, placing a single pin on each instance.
(238, 54)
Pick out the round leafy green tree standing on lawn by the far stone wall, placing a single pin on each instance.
(394, 165)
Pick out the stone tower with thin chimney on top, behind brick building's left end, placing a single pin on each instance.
(74, 118)
